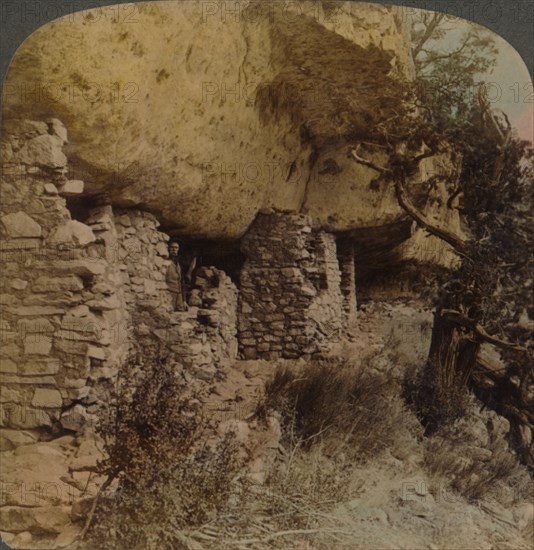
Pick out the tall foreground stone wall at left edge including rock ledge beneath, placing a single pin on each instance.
(61, 310)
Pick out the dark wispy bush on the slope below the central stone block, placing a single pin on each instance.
(339, 400)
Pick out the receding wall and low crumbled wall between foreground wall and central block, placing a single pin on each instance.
(201, 338)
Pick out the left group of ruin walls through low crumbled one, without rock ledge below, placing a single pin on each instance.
(71, 290)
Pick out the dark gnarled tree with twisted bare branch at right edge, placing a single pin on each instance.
(488, 298)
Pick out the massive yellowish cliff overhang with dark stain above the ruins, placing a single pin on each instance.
(206, 117)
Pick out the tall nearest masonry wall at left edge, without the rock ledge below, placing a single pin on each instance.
(59, 303)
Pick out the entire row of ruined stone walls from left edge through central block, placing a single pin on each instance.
(77, 294)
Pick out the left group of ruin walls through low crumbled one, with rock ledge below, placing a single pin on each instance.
(74, 298)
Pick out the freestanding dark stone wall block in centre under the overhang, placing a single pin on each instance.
(290, 300)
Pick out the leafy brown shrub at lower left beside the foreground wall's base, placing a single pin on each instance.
(165, 481)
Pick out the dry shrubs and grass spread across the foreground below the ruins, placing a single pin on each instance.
(334, 413)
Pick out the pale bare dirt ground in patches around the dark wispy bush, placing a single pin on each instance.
(393, 502)
